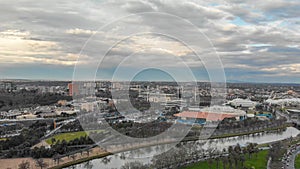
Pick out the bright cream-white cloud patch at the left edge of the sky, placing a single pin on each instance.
(18, 47)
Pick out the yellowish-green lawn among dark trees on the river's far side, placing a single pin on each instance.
(71, 136)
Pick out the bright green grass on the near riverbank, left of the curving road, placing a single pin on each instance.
(258, 162)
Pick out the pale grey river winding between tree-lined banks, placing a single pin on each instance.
(144, 155)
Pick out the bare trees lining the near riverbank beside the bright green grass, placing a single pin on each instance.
(185, 154)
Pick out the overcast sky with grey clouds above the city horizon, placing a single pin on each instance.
(218, 40)
